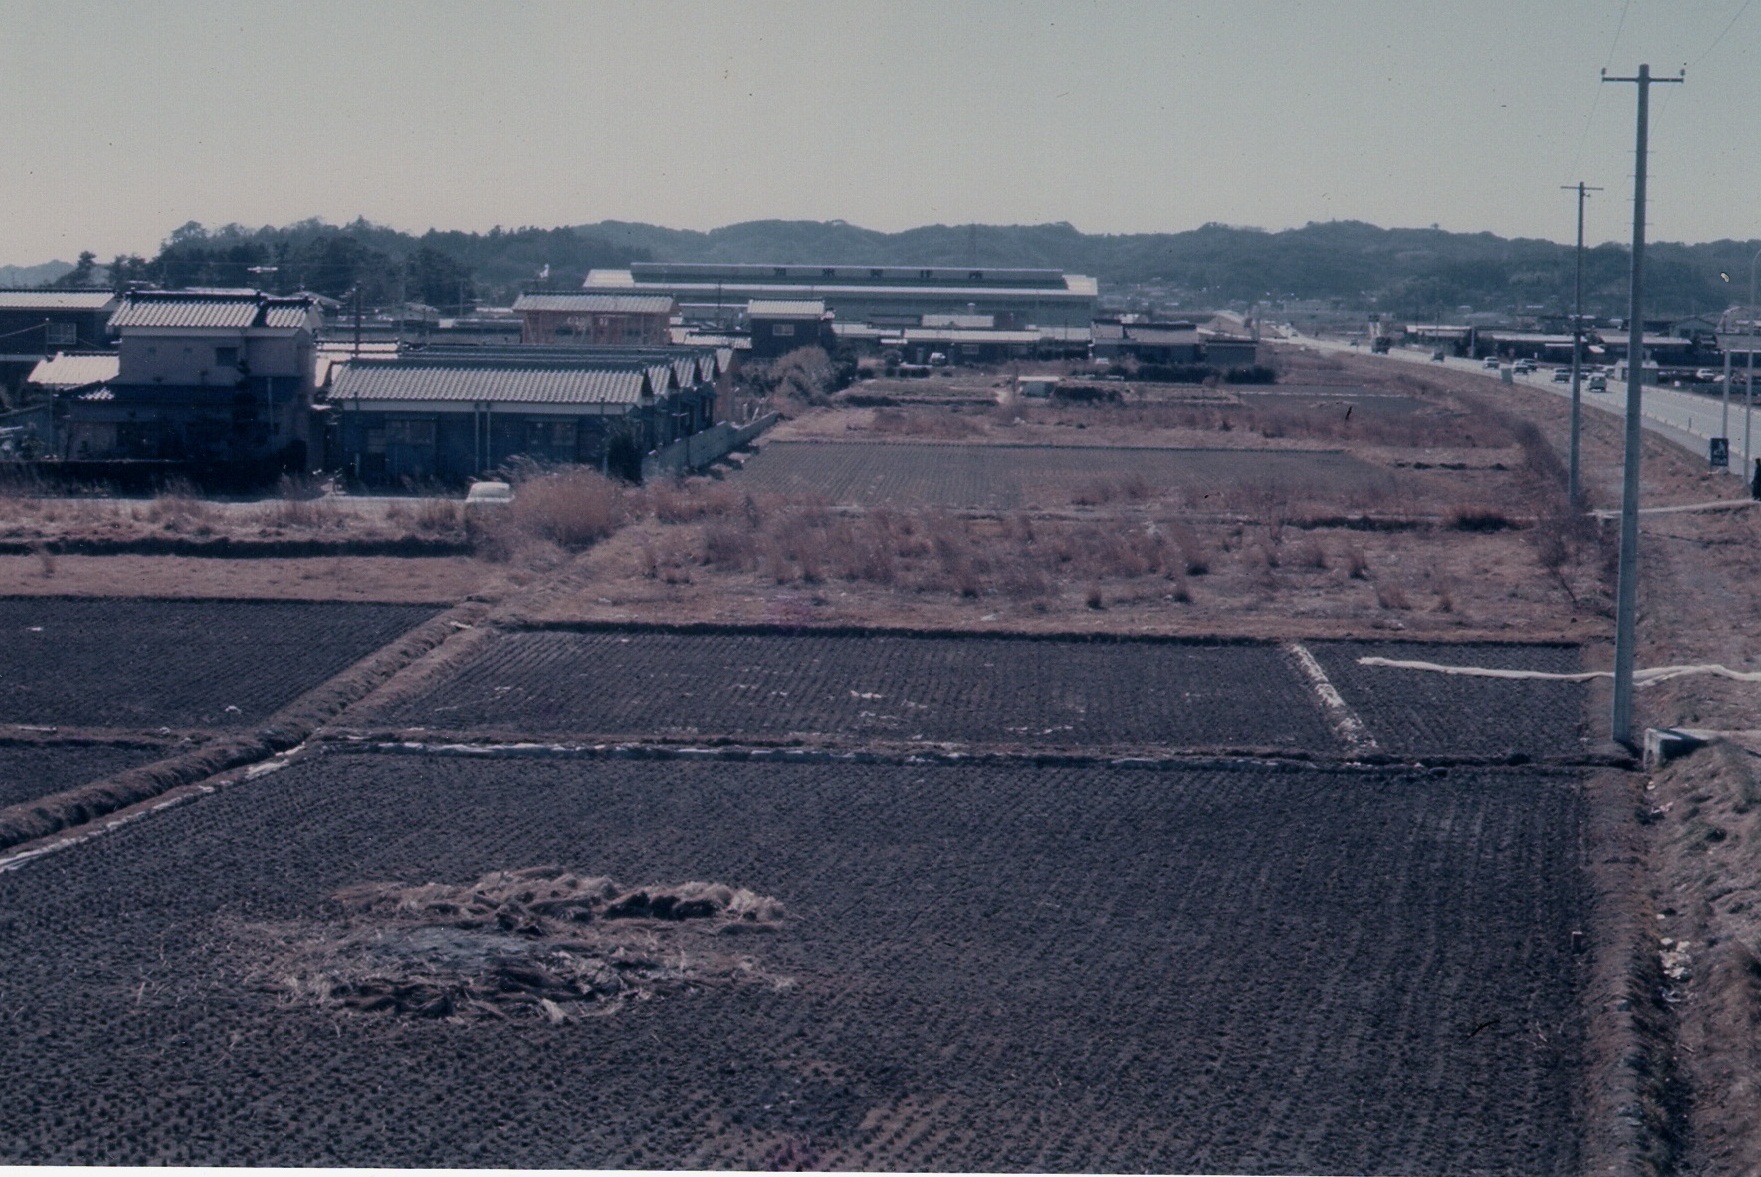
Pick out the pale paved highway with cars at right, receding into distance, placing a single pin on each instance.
(1686, 418)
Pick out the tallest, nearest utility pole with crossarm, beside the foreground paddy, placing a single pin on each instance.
(1628, 589)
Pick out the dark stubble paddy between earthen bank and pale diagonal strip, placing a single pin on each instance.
(976, 692)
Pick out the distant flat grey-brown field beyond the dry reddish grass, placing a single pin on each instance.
(1019, 477)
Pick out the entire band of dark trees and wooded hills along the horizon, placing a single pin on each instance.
(1413, 274)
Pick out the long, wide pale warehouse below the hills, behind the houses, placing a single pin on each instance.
(880, 295)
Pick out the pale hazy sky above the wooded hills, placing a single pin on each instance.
(128, 121)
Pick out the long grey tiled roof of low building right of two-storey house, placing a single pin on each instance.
(538, 385)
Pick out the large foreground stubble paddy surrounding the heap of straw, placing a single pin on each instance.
(989, 970)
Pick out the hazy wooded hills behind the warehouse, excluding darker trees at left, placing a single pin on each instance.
(1411, 272)
